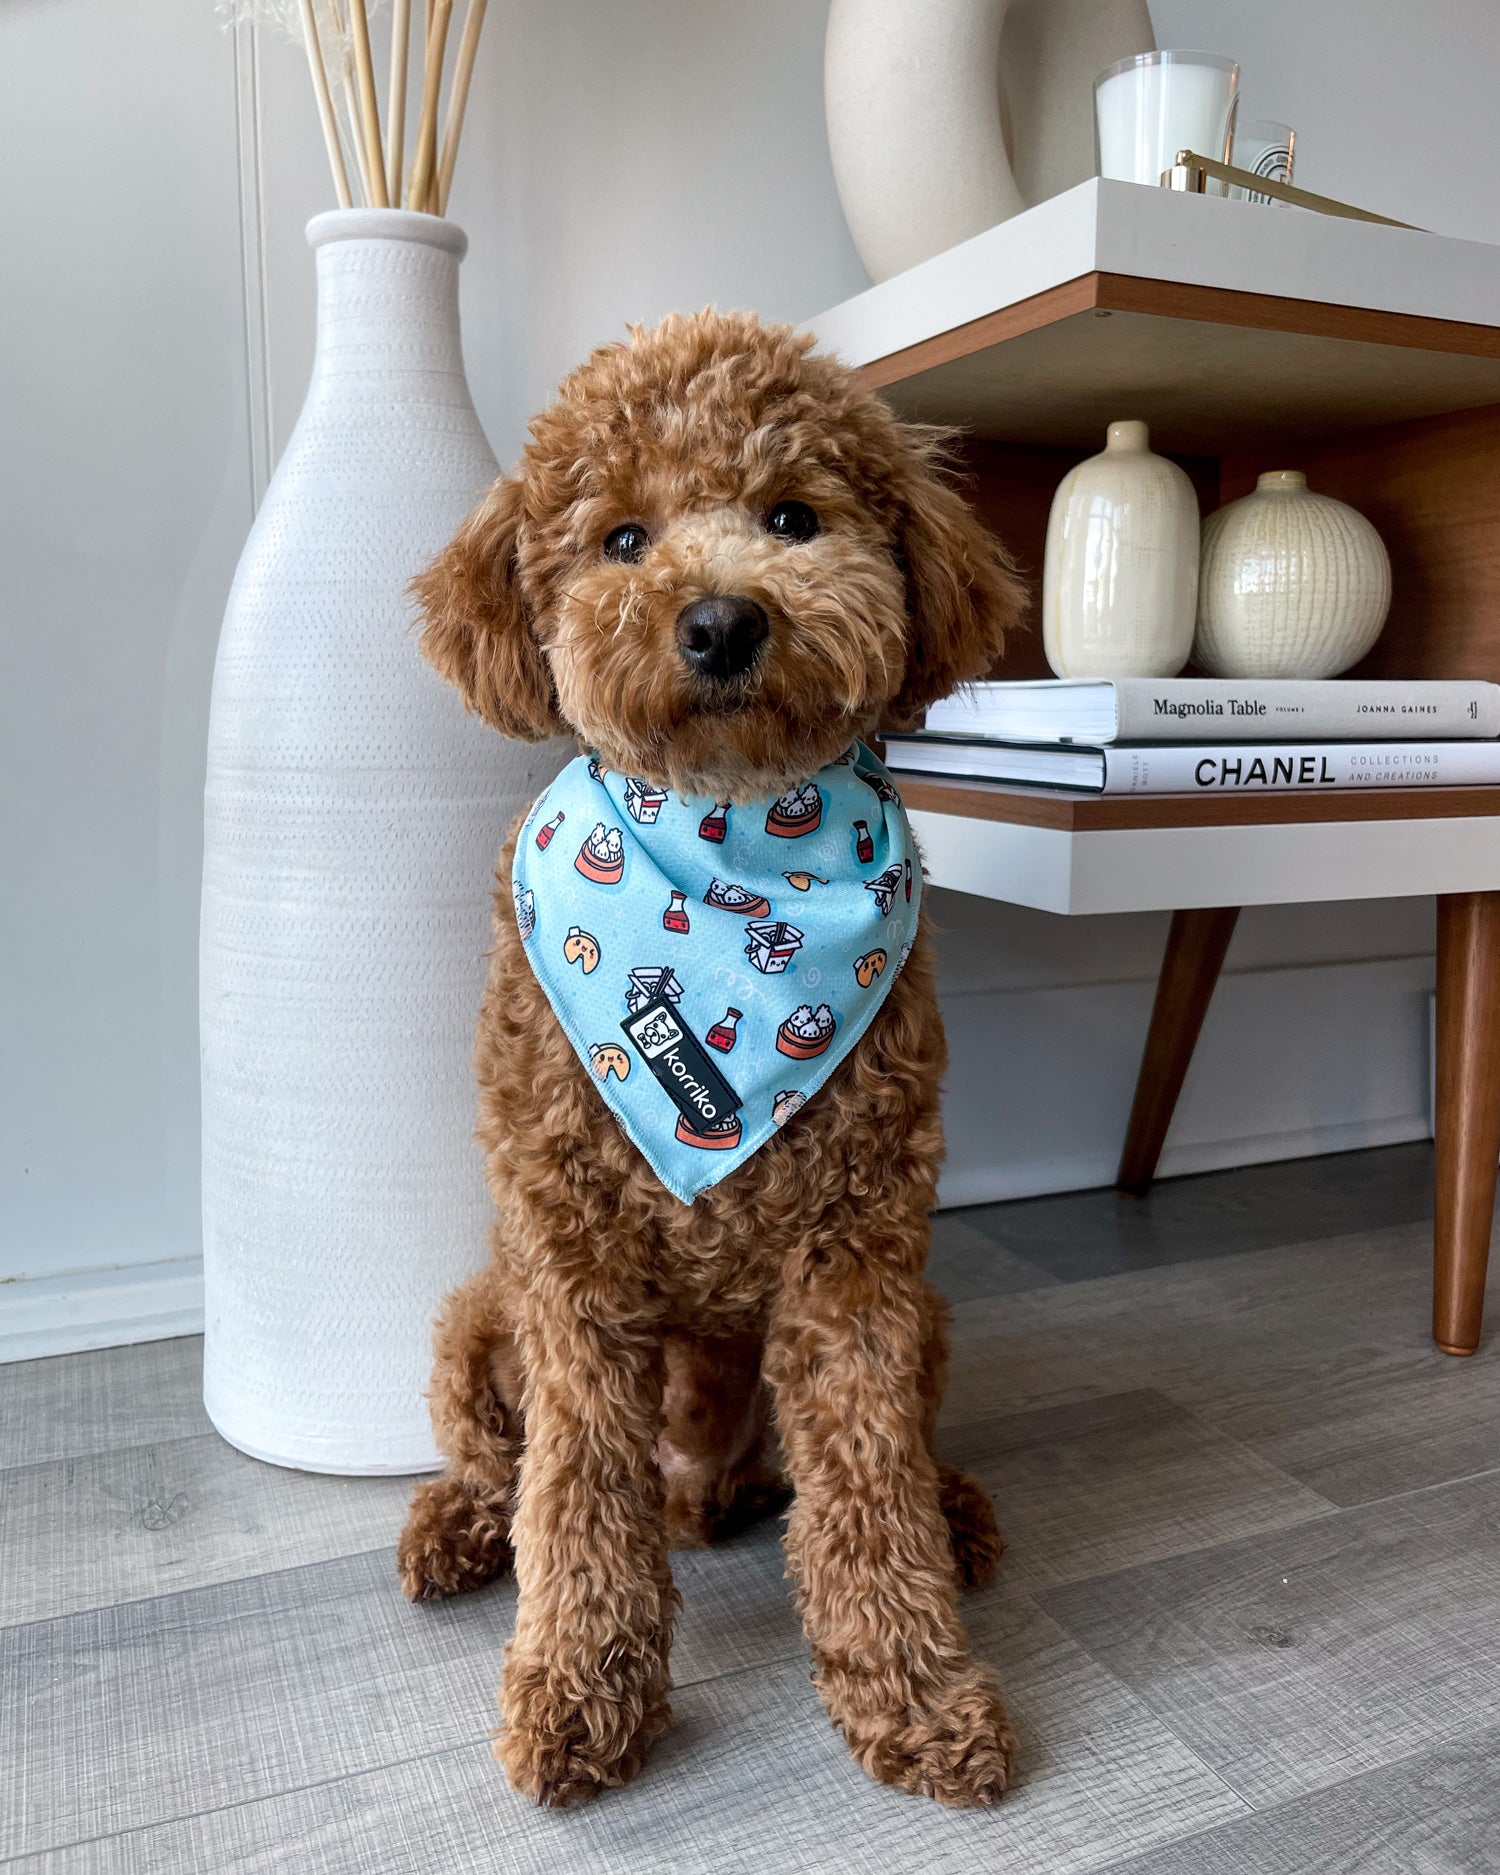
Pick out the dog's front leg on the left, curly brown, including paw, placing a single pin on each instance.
(586, 1679)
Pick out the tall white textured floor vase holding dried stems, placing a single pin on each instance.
(353, 818)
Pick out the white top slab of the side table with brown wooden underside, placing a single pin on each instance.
(1223, 325)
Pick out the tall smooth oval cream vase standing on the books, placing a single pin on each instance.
(1120, 577)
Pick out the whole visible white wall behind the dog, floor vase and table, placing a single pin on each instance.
(620, 160)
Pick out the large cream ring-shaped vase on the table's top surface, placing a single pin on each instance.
(952, 115)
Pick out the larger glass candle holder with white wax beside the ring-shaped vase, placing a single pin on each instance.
(1156, 104)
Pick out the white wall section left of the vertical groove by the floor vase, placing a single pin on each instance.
(125, 494)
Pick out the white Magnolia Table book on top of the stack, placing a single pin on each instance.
(1218, 710)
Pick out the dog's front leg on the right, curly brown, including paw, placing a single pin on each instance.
(867, 1537)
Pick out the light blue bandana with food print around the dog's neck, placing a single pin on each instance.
(712, 961)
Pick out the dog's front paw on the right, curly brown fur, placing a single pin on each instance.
(955, 1747)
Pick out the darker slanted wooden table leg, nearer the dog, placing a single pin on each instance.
(1195, 953)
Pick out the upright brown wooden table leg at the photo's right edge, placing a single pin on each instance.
(1469, 1113)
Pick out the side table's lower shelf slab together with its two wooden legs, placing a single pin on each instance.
(1207, 856)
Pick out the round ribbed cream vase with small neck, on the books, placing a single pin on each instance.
(1291, 584)
